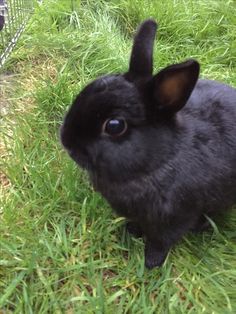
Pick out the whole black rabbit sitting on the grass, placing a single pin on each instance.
(161, 149)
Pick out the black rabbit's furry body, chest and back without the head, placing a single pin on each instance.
(167, 197)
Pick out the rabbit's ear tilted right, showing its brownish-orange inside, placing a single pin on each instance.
(172, 86)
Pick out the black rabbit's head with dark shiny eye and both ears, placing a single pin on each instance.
(110, 127)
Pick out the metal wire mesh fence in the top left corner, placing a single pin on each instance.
(14, 15)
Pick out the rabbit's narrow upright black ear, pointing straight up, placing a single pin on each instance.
(142, 51)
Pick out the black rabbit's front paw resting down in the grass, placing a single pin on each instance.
(153, 256)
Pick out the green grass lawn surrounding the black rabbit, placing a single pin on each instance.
(62, 250)
